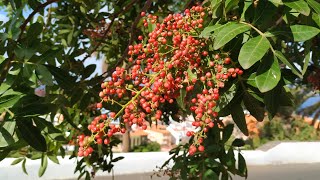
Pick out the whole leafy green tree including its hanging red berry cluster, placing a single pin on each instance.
(209, 59)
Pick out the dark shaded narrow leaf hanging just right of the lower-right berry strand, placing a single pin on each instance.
(238, 117)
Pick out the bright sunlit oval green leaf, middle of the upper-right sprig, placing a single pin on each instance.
(252, 51)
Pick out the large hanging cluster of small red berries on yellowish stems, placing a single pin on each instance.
(171, 60)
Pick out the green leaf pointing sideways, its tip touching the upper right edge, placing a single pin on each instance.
(302, 32)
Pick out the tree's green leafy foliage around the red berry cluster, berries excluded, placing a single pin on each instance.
(47, 43)
